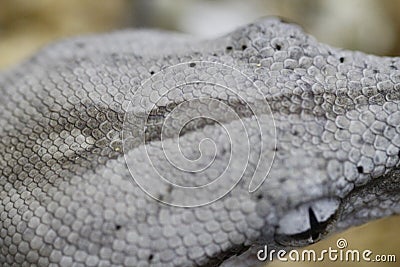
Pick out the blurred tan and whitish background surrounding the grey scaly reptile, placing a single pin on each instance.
(367, 25)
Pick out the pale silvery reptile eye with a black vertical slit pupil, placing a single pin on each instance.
(308, 223)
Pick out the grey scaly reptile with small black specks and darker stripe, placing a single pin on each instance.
(67, 196)
